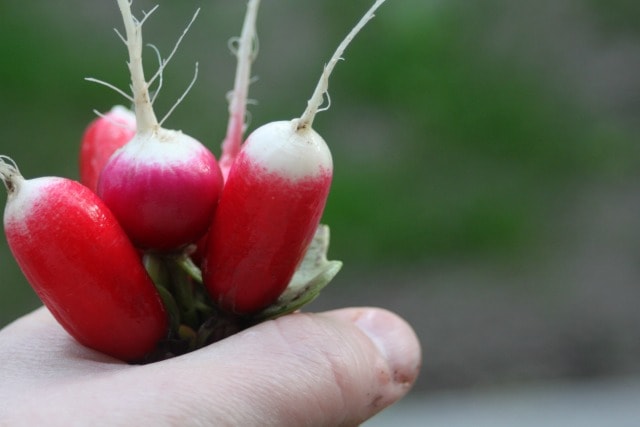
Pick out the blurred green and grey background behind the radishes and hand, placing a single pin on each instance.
(486, 157)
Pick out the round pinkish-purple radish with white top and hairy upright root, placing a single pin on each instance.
(163, 185)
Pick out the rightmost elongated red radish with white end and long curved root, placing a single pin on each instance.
(271, 205)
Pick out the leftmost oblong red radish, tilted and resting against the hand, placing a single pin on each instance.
(81, 264)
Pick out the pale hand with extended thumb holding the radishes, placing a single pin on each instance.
(336, 368)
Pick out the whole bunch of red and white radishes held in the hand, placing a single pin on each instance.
(161, 250)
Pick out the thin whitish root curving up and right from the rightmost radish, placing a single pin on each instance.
(313, 105)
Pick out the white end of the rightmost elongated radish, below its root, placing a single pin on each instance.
(277, 147)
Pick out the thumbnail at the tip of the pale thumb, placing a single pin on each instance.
(396, 341)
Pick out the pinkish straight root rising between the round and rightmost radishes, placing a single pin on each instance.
(238, 101)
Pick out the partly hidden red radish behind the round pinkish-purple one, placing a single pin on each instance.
(101, 139)
